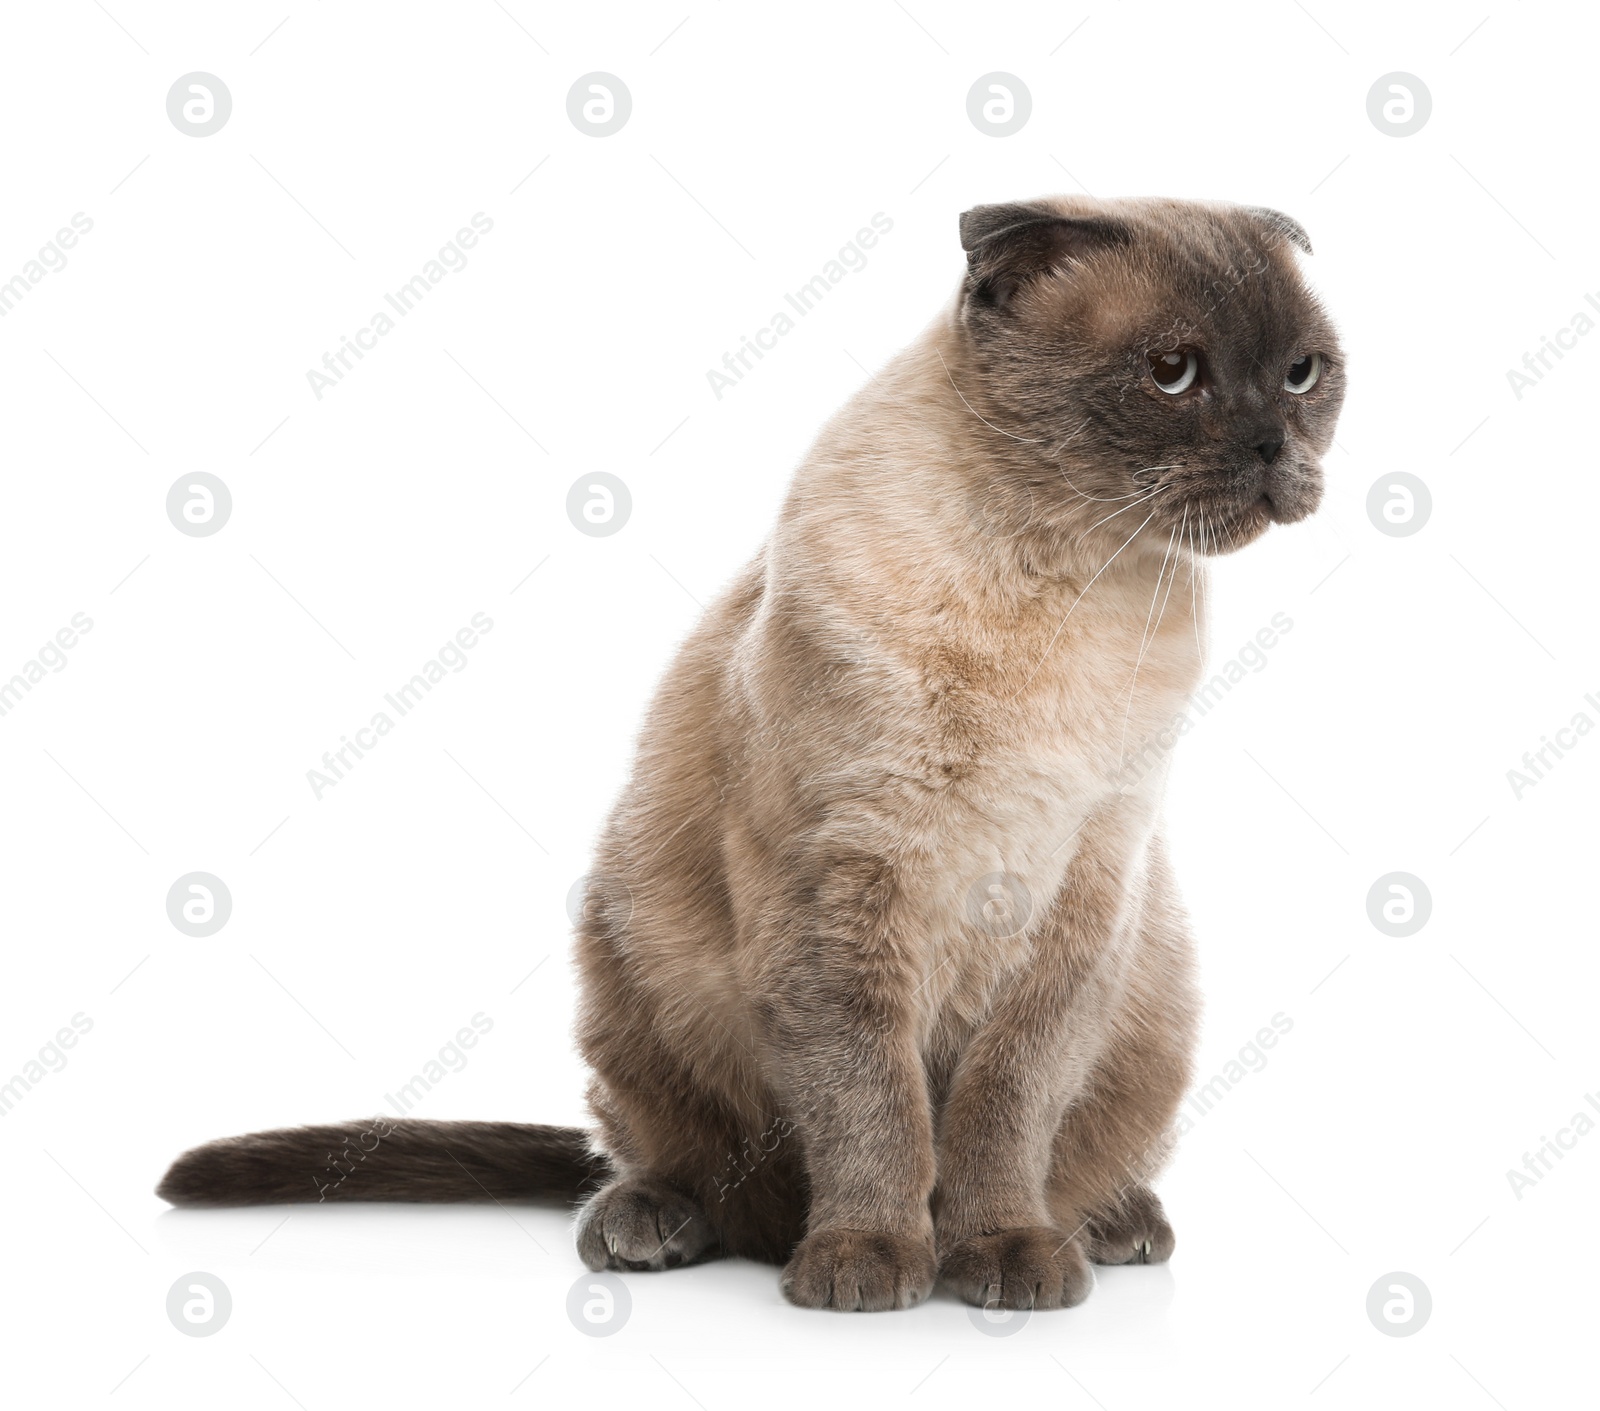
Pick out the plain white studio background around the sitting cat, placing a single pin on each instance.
(426, 887)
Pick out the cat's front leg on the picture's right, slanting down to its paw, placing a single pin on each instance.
(1002, 1239)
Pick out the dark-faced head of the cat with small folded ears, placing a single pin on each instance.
(1150, 362)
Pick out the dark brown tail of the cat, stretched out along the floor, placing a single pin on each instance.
(378, 1159)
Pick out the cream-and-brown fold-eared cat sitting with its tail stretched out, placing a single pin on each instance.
(886, 978)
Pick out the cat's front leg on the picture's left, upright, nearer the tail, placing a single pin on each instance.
(839, 1017)
